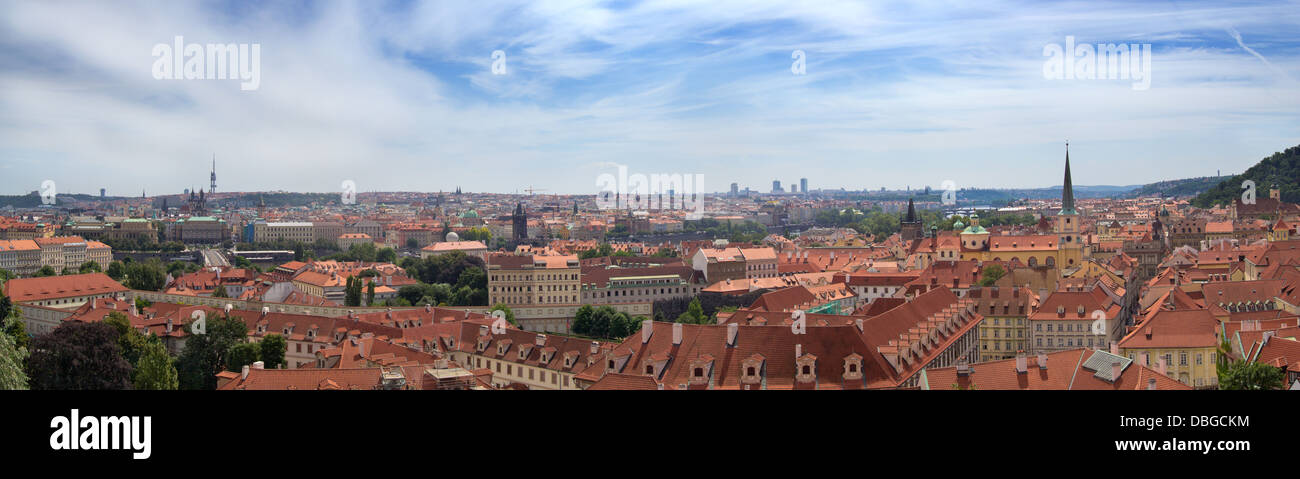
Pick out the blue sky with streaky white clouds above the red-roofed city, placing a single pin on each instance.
(402, 97)
